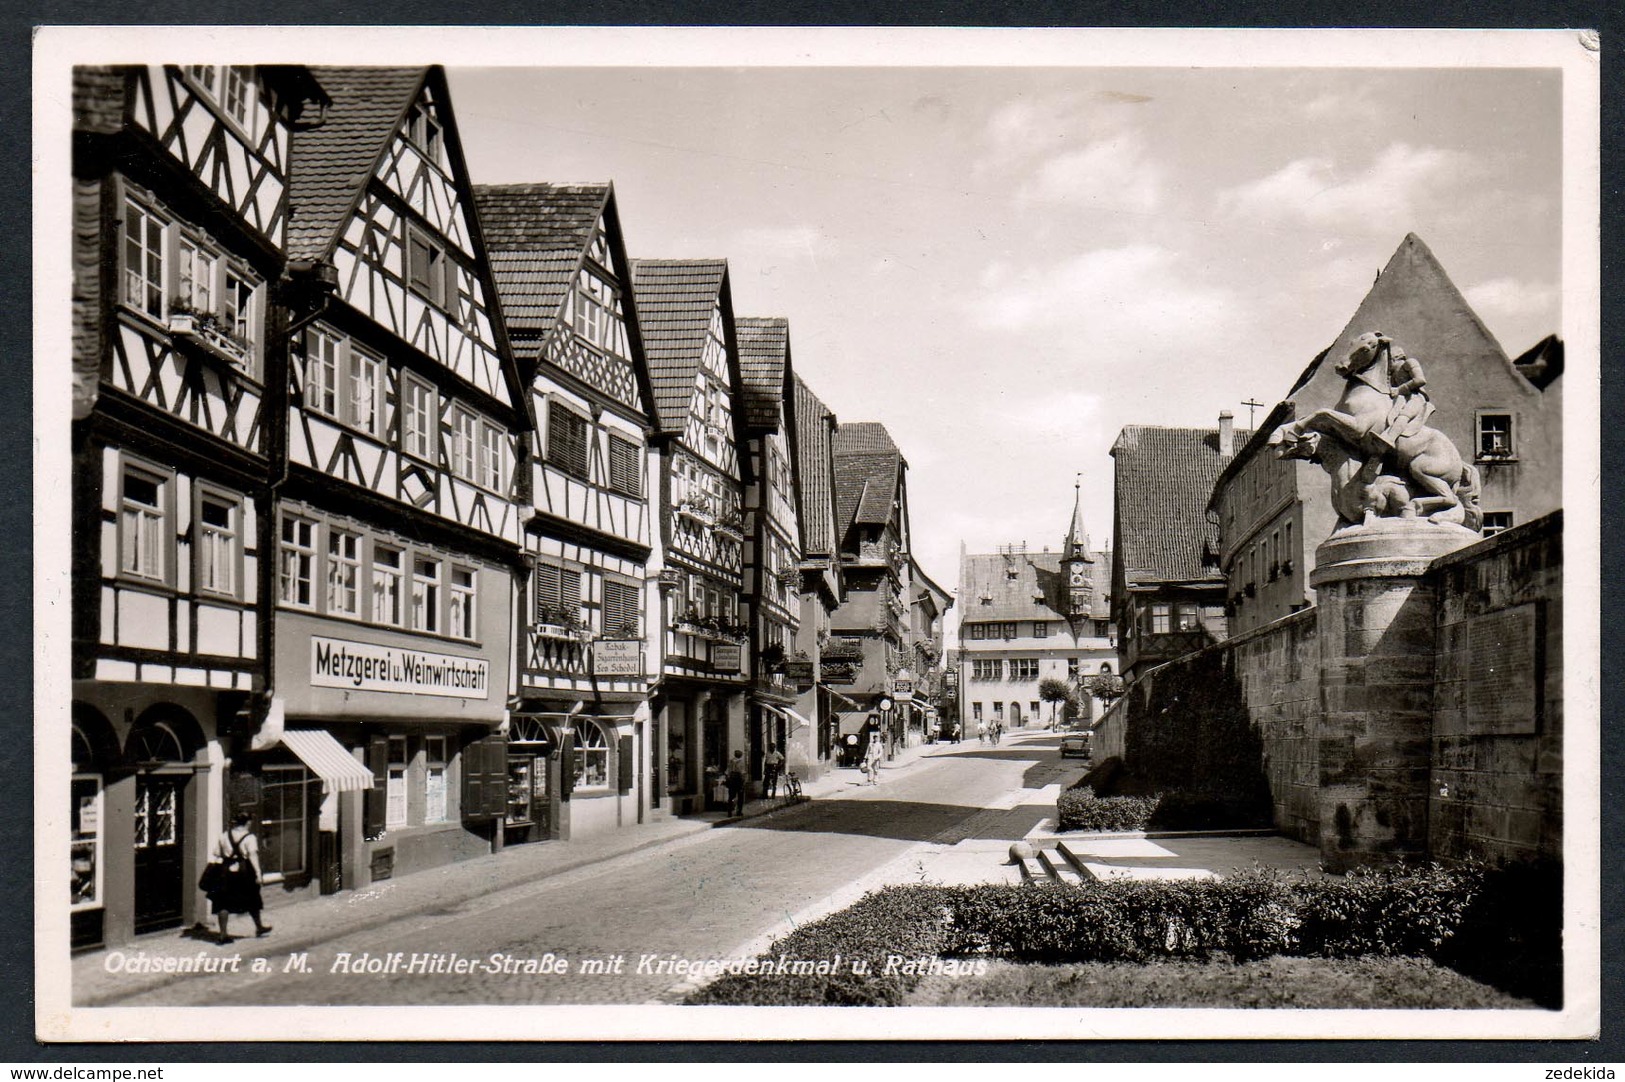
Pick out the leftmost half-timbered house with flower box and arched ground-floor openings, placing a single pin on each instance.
(180, 220)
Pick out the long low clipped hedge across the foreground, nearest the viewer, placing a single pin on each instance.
(1444, 914)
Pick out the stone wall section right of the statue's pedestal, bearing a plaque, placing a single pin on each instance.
(1497, 784)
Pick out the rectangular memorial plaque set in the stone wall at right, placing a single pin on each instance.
(1501, 670)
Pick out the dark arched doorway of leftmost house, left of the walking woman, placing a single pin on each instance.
(158, 751)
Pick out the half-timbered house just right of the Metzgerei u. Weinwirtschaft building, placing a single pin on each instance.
(579, 742)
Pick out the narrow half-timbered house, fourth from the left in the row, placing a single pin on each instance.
(687, 314)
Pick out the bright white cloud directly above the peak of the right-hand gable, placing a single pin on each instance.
(1395, 188)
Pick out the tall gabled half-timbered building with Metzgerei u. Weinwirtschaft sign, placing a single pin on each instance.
(404, 423)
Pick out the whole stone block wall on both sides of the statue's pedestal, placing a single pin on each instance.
(1493, 751)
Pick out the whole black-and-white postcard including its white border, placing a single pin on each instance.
(817, 534)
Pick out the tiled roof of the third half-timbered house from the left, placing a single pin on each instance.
(537, 235)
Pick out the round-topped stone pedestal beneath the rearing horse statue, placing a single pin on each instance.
(1377, 625)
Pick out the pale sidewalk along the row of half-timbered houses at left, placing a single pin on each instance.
(301, 925)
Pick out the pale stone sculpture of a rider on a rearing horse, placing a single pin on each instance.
(1377, 446)
